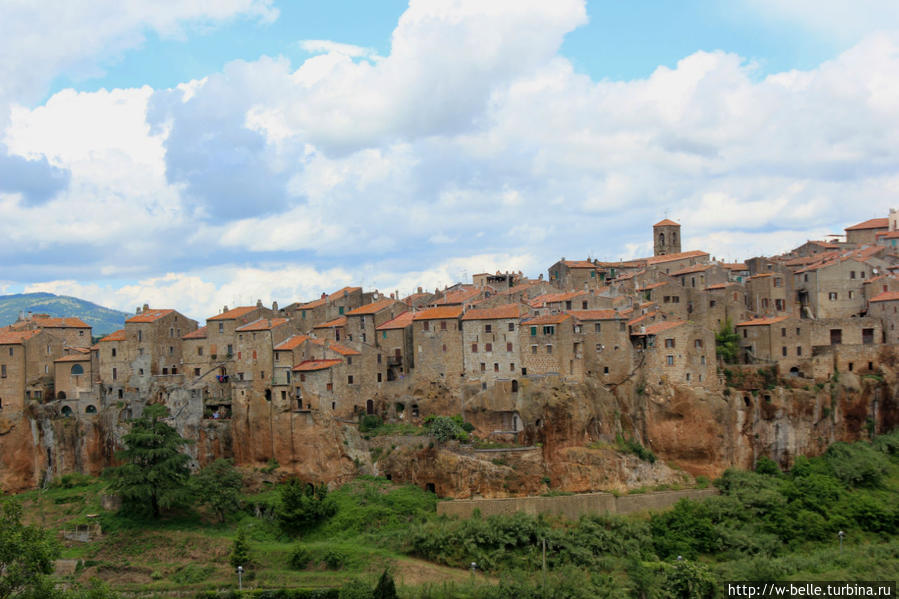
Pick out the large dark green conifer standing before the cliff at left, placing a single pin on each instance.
(155, 471)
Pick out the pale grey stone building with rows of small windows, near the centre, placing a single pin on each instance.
(490, 343)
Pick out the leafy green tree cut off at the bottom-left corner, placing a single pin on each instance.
(26, 554)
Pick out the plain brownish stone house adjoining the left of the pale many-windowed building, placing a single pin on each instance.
(437, 342)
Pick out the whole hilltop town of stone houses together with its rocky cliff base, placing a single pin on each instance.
(288, 384)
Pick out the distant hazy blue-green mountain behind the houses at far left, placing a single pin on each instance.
(103, 320)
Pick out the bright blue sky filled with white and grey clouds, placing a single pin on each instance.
(196, 154)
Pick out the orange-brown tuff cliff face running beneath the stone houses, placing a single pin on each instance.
(570, 436)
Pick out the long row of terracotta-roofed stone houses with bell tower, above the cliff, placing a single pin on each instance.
(825, 304)
